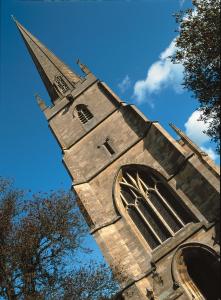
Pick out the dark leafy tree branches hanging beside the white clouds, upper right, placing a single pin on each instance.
(198, 49)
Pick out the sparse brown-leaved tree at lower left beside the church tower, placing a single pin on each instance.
(39, 240)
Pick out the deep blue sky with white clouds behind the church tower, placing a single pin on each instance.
(124, 43)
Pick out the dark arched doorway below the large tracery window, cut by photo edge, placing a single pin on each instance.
(199, 272)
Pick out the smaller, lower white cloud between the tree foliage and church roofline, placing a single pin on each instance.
(195, 131)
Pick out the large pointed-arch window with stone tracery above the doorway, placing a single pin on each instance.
(157, 212)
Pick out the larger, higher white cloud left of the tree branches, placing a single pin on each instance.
(161, 74)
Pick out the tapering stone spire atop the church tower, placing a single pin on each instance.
(59, 80)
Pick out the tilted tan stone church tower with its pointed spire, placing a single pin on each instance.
(151, 202)
